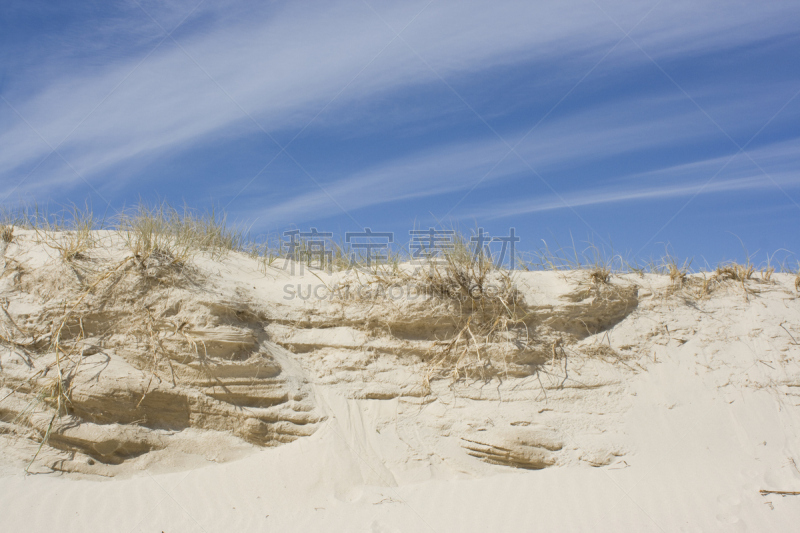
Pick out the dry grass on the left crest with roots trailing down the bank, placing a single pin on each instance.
(160, 240)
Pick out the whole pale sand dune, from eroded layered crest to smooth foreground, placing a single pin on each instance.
(639, 405)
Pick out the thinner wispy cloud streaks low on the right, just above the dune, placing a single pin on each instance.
(611, 132)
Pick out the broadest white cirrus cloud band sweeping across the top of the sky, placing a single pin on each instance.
(282, 64)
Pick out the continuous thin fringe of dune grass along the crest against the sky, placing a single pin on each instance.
(163, 235)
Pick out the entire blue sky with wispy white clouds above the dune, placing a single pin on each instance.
(635, 124)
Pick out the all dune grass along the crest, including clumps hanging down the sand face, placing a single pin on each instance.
(478, 298)
